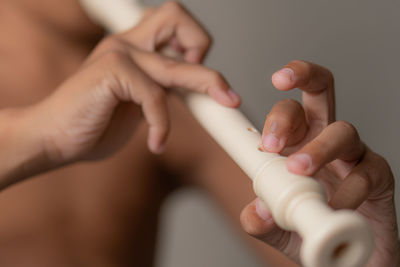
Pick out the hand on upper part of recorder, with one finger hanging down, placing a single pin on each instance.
(96, 111)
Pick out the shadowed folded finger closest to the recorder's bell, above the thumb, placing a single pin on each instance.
(370, 178)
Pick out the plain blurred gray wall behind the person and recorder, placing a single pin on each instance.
(358, 40)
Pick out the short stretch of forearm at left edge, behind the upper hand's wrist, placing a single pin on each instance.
(22, 152)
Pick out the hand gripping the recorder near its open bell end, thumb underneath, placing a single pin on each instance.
(354, 177)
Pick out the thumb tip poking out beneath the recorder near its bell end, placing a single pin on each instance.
(257, 221)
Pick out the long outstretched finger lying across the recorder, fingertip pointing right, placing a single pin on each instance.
(174, 74)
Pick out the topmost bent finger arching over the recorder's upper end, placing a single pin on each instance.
(173, 24)
